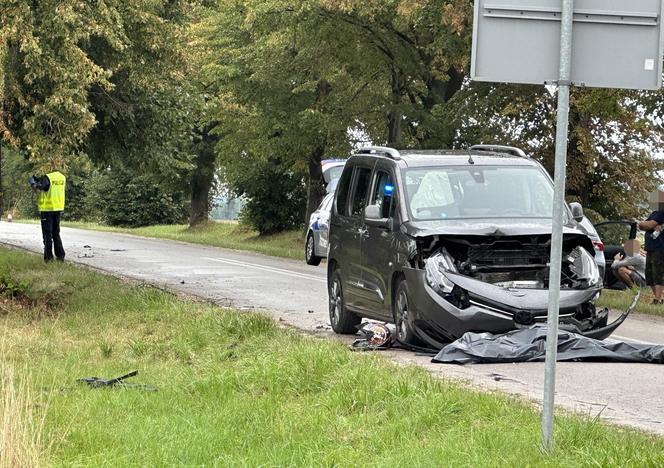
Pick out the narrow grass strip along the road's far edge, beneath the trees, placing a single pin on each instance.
(229, 235)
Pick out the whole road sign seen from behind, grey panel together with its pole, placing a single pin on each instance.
(617, 44)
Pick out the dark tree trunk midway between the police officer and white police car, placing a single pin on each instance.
(201, 180)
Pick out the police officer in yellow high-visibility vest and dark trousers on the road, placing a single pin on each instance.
(51, 203)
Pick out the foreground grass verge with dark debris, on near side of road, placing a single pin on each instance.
(237, 390)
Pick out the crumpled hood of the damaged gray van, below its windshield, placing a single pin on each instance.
(486, 227)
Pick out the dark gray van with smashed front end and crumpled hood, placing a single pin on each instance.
(445, 242)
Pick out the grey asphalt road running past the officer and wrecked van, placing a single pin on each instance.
(295, 293)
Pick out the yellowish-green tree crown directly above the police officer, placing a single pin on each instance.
(47, 74)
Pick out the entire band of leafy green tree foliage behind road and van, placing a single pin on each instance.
(170, 90)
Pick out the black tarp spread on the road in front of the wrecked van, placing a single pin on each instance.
(528, 345)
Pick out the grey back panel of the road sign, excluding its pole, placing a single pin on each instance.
(617, 43)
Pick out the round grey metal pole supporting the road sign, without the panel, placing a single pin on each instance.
(557, 227)
